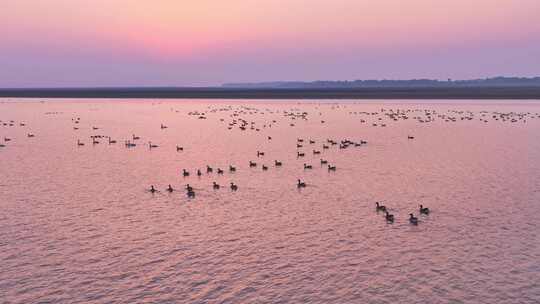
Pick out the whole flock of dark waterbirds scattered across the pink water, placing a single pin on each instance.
(238, 119)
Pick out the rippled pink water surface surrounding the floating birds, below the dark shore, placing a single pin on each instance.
(78, 225)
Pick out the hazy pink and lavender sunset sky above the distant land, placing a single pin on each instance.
(74, 43)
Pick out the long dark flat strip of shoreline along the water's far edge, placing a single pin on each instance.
(530, 93)
